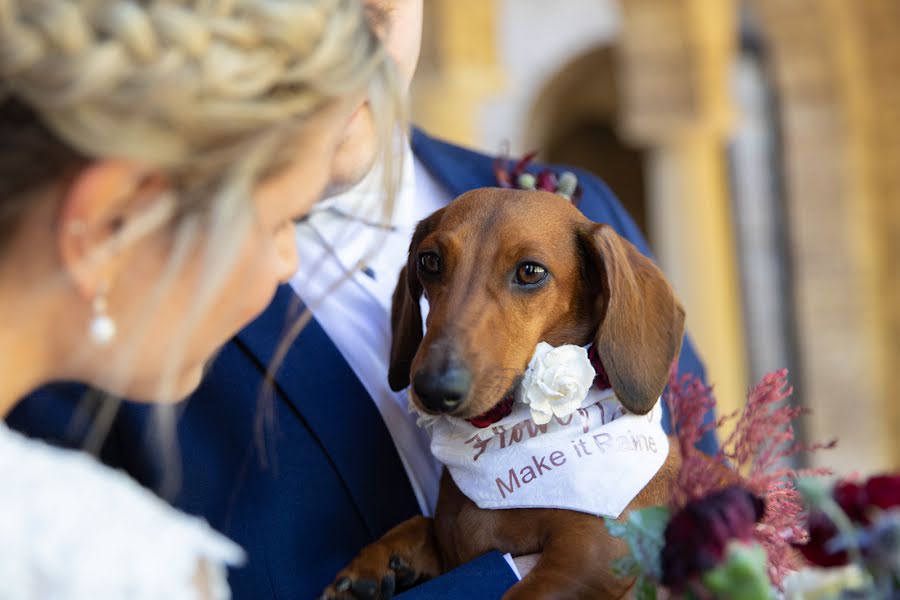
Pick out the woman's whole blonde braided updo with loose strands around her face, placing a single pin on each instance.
(207, 90)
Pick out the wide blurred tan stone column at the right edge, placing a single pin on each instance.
(830, 62)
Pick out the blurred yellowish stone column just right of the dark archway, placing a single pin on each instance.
(674, 60)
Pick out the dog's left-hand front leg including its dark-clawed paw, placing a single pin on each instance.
(404, 556)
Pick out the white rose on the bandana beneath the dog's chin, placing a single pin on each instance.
(557, 381)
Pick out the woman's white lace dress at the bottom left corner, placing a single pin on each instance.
(73, 529)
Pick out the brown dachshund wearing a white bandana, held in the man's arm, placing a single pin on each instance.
(503, 270)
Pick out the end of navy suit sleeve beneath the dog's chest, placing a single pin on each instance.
(485, 578)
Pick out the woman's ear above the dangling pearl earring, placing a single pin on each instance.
(102, 209)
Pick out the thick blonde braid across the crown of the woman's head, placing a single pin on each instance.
(177, 78)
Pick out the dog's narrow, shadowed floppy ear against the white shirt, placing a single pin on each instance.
(406, 316)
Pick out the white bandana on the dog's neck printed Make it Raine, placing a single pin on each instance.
(595, 460)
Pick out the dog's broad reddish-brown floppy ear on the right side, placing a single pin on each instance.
(642, 322)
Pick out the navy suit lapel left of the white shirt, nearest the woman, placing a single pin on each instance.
(319, 385)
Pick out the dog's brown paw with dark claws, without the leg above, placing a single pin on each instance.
(373, 576)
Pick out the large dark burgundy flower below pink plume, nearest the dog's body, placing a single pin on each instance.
(696, 537)
